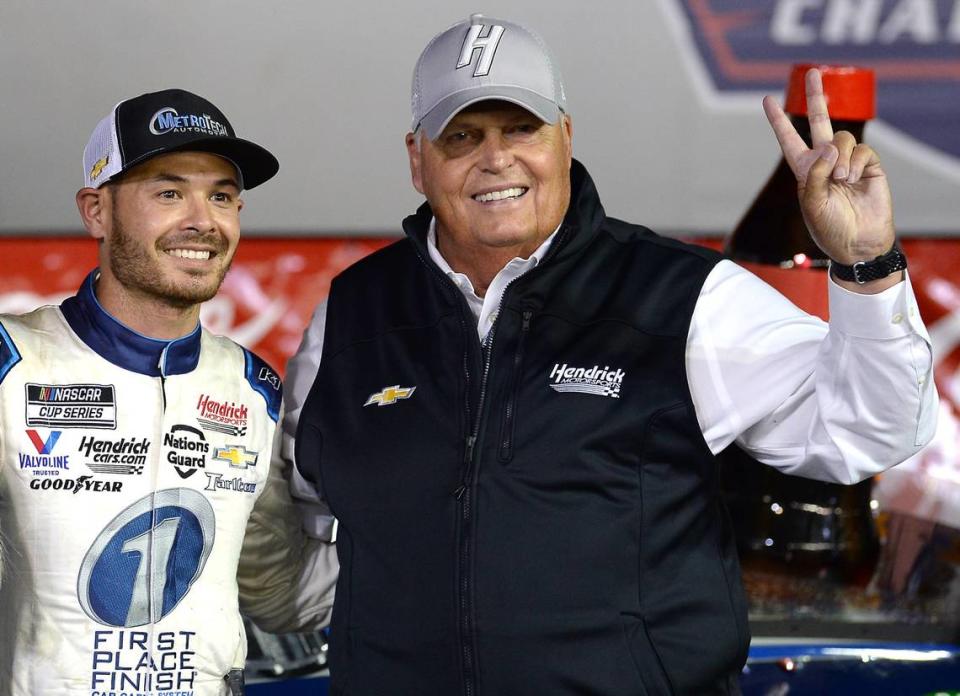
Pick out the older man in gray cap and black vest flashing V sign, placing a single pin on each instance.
(514, 411)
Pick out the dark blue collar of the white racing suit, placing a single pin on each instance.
(123, 346)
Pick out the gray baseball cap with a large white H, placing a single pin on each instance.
(483, 58)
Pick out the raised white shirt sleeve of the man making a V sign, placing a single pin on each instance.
(835, 402)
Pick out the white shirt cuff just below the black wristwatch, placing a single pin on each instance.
(889, 314)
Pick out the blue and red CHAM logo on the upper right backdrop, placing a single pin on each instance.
(913, 46)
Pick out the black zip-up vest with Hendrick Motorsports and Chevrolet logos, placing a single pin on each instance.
(540, 516)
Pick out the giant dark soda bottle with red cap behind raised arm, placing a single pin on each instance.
(788, 528)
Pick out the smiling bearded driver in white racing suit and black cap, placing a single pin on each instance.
(134, 445)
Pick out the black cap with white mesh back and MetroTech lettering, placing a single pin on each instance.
(173, 120)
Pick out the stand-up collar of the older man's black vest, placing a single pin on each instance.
(580, 223)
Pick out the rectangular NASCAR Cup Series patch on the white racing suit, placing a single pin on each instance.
(72, 406)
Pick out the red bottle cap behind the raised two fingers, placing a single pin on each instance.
(850, 91)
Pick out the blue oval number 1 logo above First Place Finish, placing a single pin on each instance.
(147, 558)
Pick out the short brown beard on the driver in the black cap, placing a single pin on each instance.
(137, 270)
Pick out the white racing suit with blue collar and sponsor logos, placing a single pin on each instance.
(129, 468)
